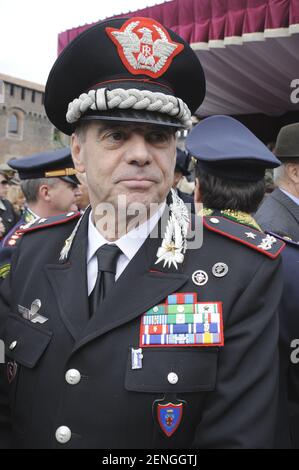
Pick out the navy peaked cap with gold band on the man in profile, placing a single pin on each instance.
(51, 164)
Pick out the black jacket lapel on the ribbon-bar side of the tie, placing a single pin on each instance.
(141, 286)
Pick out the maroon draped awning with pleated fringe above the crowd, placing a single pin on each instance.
(248, 48)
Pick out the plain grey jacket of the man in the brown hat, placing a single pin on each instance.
(279, 214)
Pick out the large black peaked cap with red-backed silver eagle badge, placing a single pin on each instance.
(125, 70)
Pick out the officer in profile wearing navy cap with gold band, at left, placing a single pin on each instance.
(50, 188)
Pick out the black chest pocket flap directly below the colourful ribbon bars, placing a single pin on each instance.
(193, 370)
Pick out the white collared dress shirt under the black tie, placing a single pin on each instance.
(129, 244)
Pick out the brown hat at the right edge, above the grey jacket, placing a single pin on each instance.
(287, 144)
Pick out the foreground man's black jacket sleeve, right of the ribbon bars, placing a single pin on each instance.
(241, 412)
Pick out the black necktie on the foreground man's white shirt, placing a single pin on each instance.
(107, 257)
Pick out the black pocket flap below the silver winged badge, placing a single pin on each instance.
(29, 340)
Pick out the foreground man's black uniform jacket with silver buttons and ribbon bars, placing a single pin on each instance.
(226, 394)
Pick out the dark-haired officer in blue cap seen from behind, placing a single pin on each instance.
(230, 184)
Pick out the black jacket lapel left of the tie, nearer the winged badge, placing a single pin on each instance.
(69, 283)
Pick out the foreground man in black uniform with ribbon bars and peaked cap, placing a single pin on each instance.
(118, 338)
